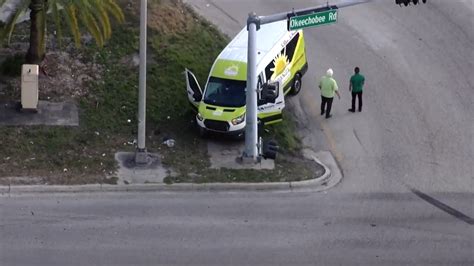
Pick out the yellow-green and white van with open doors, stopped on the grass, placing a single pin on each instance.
(281, 57)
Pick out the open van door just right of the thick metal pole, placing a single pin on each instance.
(271, 103)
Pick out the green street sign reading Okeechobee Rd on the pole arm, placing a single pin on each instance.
(311, 20)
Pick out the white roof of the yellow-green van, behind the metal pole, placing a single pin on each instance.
(267, 37)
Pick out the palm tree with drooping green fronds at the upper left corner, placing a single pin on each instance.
(94, 15)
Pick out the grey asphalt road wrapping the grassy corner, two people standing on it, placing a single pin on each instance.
(407, 193)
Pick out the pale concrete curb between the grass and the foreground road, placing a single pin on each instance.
(317, 184)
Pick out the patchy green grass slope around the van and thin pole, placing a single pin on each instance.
(85, 154)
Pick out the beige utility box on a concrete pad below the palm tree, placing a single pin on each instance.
(29, 87)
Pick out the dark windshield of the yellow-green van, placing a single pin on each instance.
(225, 92)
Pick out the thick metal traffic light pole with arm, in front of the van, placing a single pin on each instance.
(250, 154)
